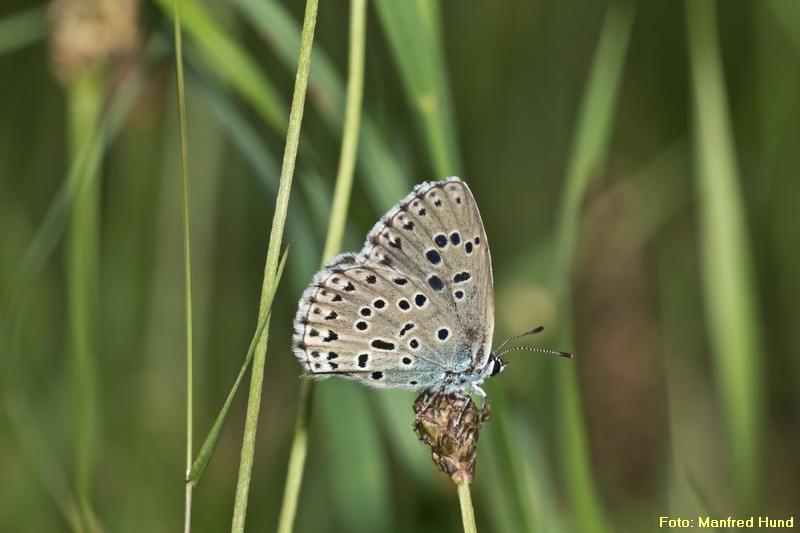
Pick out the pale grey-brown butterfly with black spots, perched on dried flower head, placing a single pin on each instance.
(415, 308)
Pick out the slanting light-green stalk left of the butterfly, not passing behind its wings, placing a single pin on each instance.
(271, 266)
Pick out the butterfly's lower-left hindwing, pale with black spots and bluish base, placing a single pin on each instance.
(364, 322)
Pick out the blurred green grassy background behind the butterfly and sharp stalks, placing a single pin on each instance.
(640, 200)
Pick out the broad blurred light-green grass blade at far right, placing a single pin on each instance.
(729, 292)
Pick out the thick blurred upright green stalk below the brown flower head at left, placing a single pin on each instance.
(85, 98)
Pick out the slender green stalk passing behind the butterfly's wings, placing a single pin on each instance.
(333, 242)
